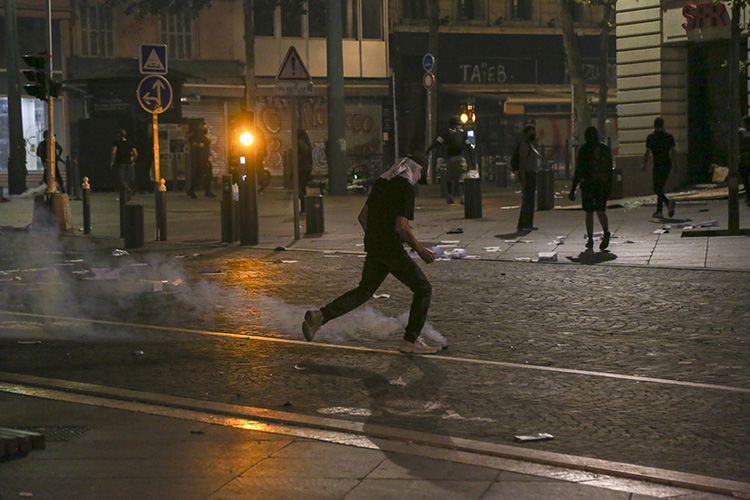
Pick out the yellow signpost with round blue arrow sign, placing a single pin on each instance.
(155, 96)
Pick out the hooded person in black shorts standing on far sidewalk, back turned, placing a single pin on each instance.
(594, 174)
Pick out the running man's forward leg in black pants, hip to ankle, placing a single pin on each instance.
(410, 274)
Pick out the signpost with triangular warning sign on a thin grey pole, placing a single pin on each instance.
(294, 80)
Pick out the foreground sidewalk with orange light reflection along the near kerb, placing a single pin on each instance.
(99, 449)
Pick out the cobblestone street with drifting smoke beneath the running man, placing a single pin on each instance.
(537, 320)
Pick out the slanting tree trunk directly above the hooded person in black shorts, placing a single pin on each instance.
(575, 68)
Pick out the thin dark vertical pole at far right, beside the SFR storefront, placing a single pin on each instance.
(733, 204)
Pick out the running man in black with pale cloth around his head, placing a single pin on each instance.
(384, 218)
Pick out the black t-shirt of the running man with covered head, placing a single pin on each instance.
(388, 199)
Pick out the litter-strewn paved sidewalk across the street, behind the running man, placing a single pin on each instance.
(493, 237)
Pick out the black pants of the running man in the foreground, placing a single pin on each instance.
(375, 270)
